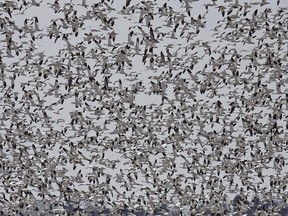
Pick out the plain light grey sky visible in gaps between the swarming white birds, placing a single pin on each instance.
(55, 52)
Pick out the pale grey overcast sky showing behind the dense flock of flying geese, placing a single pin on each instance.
(55, 53)
